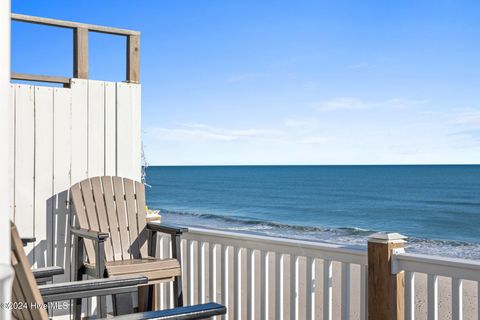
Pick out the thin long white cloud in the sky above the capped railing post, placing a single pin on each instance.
(350, 103)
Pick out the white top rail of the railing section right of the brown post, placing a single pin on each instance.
(435, 265)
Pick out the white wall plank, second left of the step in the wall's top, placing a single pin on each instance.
(43, 174)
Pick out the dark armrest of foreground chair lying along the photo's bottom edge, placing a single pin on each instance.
(199, 311)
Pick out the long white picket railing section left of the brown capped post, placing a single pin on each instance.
(260, 277)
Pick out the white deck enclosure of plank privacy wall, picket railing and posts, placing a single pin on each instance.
(88, 127)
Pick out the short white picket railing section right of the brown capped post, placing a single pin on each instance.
(457, 270)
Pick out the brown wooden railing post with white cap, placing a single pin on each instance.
(385, 290)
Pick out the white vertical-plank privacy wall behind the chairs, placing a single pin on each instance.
(62, 136)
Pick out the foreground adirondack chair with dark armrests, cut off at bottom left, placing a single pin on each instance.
(28, 299)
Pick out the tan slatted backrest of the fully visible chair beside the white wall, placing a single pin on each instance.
(115, 205)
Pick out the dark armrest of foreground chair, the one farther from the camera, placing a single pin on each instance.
(90, 288)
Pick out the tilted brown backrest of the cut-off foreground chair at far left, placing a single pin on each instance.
(24, 285)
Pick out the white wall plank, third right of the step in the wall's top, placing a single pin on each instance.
(110, 128)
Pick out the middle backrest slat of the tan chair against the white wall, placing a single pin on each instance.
(112, 218)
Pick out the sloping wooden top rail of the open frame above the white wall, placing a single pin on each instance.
(72, 25)
